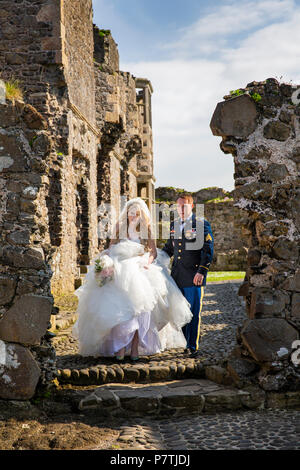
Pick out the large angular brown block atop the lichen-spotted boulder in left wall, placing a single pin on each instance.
(27, 320)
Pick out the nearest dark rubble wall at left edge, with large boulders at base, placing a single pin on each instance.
(25, 246)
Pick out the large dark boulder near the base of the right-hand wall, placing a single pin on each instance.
(264, 337)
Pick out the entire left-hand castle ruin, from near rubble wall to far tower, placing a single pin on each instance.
(81, 137)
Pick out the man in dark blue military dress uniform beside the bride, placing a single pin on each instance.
(192, 258)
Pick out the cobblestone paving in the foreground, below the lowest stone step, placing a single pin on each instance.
(265, 429)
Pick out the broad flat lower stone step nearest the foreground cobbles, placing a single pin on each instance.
(175, 398)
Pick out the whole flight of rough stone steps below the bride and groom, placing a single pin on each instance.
(166, 384)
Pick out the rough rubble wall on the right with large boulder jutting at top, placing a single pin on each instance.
(260, 128)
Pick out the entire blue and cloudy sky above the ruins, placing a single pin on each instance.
(194, 52)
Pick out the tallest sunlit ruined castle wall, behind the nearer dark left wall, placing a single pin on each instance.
(50, 49)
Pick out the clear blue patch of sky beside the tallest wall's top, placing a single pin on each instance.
(141, 27)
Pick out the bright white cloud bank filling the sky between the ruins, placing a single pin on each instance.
(187, 91)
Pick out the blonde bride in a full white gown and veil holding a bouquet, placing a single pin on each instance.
(130, 305)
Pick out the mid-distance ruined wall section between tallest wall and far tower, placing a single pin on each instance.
(119, 122)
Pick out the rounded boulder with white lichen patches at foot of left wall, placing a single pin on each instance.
(19, 372)
